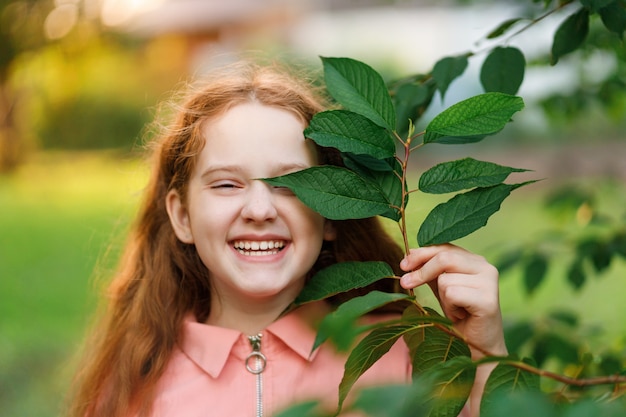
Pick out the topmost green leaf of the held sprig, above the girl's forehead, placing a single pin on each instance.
(359, 88)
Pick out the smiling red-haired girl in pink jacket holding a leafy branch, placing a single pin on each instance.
(193, 327)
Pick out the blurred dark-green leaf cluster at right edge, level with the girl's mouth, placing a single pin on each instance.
(585, 235)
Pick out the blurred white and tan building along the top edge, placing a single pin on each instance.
(409, 34)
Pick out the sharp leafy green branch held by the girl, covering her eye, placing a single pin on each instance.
(374, 182)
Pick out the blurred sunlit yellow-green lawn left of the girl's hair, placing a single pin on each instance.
(58, 216)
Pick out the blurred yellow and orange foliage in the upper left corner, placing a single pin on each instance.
(90, 89)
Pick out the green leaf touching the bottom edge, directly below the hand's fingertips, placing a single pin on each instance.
(452, 383)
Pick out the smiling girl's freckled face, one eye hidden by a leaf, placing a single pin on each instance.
(257, 241)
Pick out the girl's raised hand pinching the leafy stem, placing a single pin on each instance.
(466, 286)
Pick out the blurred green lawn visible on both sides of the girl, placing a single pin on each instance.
(60, 214)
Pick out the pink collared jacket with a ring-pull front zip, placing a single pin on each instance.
(207, 376)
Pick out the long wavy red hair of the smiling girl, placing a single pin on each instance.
(160, 279)
